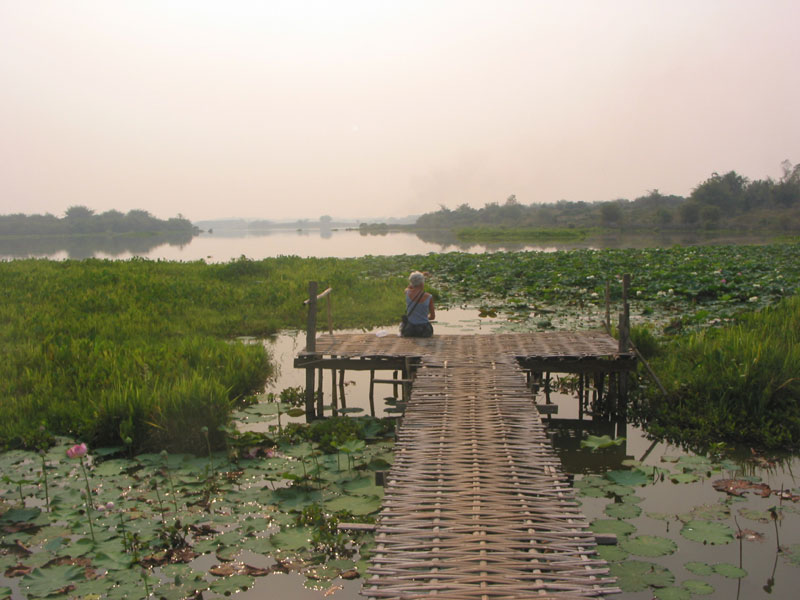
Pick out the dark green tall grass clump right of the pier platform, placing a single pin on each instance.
(740, 382)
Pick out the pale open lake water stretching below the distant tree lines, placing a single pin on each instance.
(223, 246)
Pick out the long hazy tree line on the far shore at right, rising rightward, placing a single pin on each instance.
(721, 200)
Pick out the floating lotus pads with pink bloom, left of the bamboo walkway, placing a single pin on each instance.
(267, 495)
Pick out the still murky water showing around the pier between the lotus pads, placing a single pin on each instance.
(769, 572)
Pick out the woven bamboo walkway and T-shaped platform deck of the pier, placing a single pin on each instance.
(475, 504)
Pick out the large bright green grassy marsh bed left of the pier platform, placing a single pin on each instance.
(143, 353)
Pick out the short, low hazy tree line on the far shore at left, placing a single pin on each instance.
(83, 220)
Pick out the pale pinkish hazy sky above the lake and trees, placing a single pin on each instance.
(370, 108)
